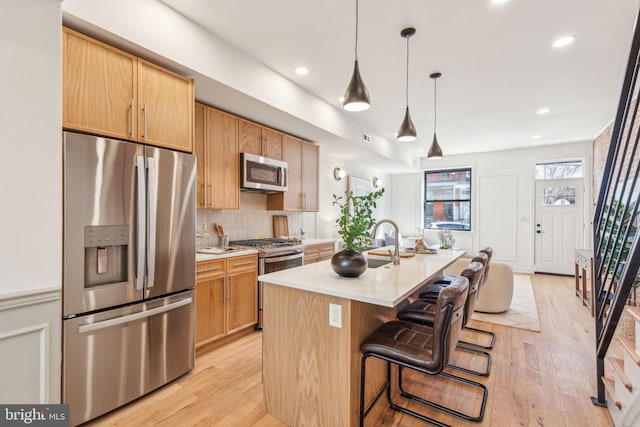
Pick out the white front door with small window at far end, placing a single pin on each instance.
(559, 225)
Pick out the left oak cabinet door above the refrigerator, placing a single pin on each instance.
(98, 87)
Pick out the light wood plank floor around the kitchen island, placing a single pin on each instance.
(537, 379)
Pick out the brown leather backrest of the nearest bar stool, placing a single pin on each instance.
(450, 300)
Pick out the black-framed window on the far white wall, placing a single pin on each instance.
(447, 202)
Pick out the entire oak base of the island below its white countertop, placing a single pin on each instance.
(319, 359)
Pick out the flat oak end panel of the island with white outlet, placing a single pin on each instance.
(307, 384)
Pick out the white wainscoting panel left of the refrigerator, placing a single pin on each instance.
(30, 345)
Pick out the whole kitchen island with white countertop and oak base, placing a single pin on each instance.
(314, 322)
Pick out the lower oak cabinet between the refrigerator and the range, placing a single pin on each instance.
(226, 296)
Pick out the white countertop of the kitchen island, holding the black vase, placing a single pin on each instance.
(387, 285)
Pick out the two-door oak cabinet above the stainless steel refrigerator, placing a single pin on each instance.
(109, 92)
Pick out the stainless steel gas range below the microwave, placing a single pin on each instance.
(273, 255)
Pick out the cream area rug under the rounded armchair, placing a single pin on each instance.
(523, 312)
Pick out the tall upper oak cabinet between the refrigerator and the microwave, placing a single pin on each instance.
(216, 148)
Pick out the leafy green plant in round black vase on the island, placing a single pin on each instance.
(354, 226)
